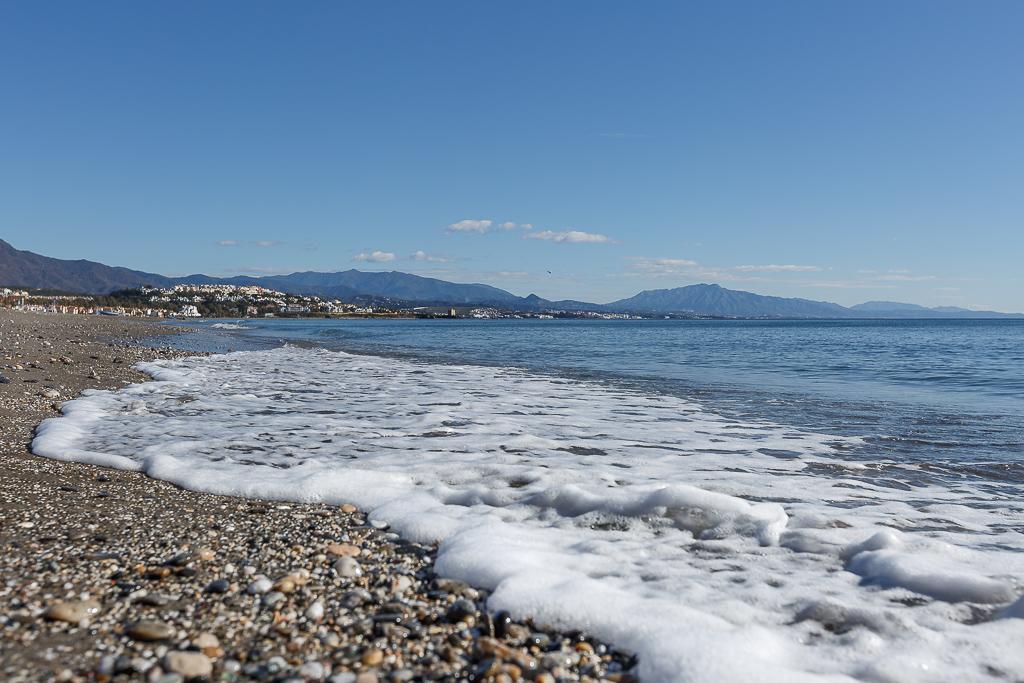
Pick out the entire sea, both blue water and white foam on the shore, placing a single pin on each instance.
(731, 500)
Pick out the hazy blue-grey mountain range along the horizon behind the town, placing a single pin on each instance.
(24, 269)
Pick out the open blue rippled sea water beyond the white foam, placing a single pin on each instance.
(948, 396)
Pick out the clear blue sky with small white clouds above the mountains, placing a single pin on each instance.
(845, 152)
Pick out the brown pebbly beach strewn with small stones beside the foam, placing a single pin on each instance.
(110, 576)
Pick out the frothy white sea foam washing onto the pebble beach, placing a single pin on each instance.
(718, 550)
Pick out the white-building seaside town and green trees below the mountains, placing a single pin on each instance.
(197, 302)
